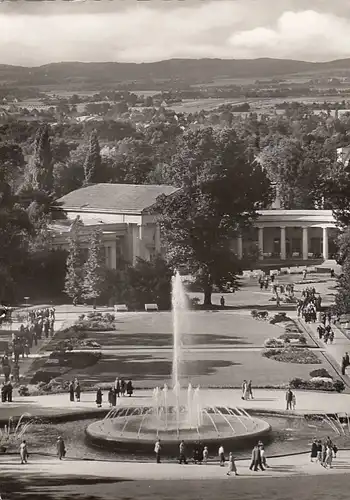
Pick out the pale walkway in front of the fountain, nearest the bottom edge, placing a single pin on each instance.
(278, 467)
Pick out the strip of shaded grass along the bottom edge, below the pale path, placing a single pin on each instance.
(65, 488)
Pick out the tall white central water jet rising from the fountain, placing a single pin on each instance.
(179, 310)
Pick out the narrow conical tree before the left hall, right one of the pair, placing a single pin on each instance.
(94, 268)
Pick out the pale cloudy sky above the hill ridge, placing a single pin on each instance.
(36, 33)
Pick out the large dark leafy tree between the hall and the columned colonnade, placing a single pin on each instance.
(220, 193)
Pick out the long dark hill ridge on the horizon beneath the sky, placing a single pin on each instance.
(199, 70)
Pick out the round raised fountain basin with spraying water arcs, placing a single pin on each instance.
(141, 431)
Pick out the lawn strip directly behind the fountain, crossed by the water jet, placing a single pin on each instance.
(207, 369)
